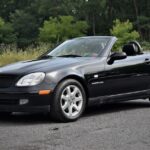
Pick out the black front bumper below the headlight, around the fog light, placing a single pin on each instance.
(10, 102)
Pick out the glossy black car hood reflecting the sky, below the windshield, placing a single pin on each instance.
(43, 65)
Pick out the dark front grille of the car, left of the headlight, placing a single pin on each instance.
(7, 80)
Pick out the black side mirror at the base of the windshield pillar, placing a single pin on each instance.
(116, 56)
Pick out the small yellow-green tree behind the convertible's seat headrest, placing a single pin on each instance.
(124, 32)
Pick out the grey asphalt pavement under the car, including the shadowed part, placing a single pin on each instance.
(117, 126)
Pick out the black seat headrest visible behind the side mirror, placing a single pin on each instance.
(129, 49)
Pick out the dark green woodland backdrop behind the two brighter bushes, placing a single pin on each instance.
(27, 16)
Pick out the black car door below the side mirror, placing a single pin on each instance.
(126, 76)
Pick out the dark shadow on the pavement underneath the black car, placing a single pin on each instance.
(40, 118)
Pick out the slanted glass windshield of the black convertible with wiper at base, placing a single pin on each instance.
(80, 47)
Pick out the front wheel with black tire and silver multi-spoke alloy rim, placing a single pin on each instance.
(69, 101)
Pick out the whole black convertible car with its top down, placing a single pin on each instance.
(77, 73)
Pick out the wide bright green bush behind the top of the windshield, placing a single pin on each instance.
(62, 28)
